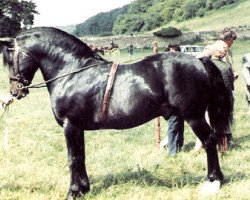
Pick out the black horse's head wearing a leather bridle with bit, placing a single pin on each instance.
(21, 67)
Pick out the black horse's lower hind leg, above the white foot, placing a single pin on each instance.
(209, 140)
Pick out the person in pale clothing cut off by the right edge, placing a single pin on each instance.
(246, 76)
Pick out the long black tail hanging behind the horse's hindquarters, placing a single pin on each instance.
(220, 107)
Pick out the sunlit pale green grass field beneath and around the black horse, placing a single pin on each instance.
(121, 164)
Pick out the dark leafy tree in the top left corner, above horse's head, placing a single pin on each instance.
(14, 14)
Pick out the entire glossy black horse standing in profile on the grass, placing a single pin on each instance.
(159, 85)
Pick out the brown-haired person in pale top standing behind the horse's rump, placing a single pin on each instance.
(221, 55)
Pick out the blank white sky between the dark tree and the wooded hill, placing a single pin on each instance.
(66, 12)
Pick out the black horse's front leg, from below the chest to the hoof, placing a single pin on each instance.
(79, 183)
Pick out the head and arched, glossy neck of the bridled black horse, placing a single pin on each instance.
(49, 49)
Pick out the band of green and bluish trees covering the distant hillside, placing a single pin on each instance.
(146, 15)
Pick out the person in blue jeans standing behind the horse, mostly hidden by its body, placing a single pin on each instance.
(175, 133)
